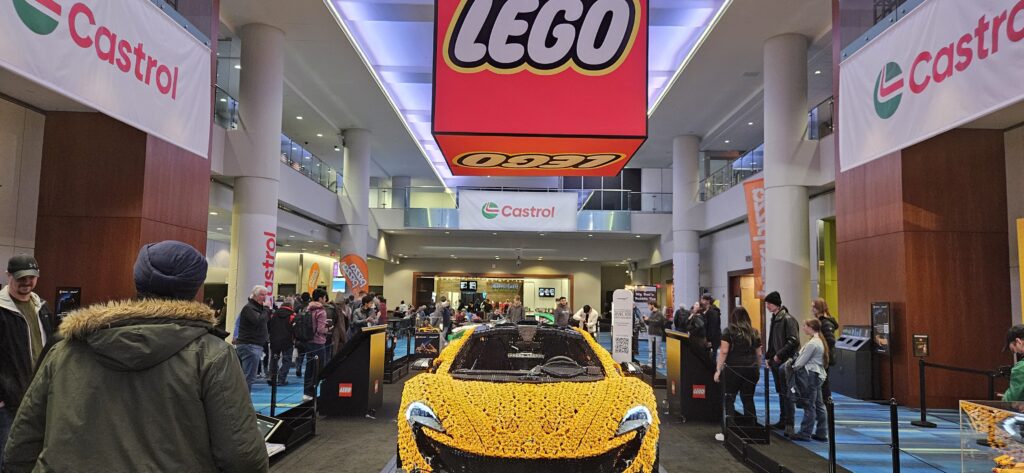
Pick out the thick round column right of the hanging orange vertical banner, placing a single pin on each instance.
(788, 245)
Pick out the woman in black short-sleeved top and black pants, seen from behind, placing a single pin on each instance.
(739, 362)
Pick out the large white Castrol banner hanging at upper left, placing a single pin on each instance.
(123, 58)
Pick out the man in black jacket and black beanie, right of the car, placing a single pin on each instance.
(784, 342)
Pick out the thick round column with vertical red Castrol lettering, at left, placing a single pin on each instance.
(254, 216)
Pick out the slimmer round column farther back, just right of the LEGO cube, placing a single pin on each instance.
(686, 185)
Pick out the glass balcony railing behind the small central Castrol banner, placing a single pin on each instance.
(587, 200)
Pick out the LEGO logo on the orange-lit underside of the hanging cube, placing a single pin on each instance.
(537, 161)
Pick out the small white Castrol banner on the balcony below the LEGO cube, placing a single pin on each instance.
(518, 211)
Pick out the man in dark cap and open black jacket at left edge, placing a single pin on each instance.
(27, 326)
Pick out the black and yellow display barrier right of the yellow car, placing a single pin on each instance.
(693, 392)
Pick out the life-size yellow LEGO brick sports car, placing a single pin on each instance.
(527, 399)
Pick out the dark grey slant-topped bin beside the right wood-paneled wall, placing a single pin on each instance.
(852, 373)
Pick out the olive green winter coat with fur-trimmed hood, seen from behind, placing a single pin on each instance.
(140, 386)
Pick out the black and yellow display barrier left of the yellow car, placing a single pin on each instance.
(353, 383)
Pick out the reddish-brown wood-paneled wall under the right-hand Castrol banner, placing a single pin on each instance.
(926, 230)
